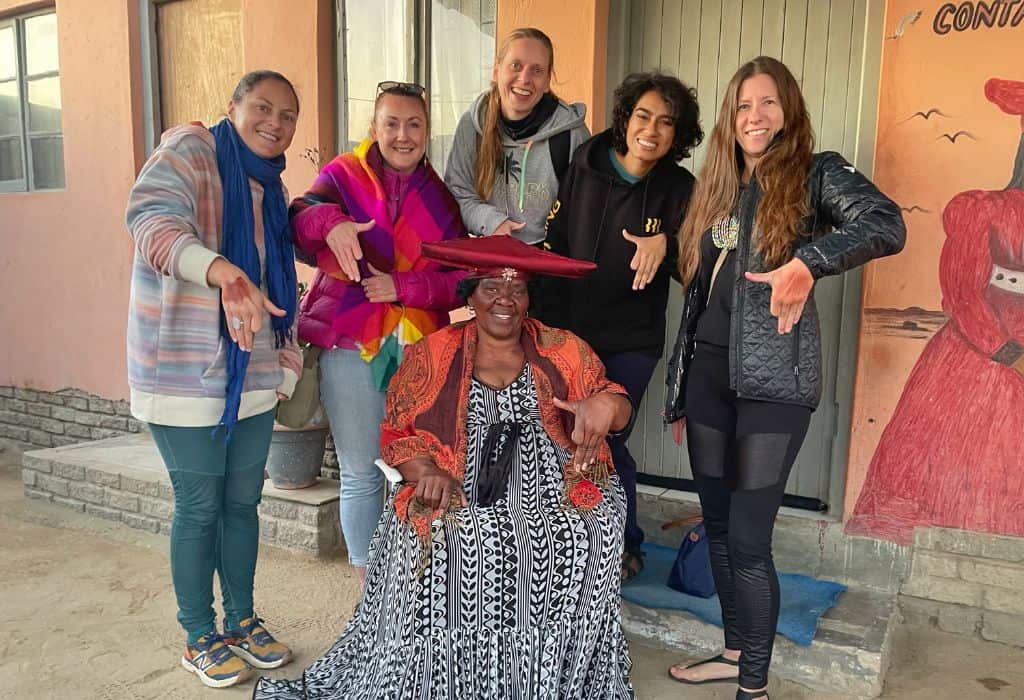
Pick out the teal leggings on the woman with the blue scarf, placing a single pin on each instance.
(218, 488)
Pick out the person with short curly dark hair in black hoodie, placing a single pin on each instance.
(621, 201)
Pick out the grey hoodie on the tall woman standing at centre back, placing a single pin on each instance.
(526, 200)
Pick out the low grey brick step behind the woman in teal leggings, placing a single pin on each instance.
(124, 480)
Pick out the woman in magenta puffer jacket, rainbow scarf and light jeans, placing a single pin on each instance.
(362, 225)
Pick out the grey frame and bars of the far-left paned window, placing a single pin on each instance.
(28, 182)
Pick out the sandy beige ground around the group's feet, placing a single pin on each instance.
(88, 612)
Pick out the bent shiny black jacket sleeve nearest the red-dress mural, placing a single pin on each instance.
(867, 225)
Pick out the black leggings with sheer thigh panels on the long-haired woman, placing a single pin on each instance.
(741, 454)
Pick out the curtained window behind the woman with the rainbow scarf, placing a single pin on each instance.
(446, 46)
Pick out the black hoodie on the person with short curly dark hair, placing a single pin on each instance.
(594, 205)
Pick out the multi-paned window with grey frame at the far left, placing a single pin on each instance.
(31, 139)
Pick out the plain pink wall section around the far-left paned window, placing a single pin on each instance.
(66, 254)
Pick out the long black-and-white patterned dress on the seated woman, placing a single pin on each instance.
(521, 600)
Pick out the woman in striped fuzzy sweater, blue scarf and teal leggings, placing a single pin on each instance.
(211, 351)
